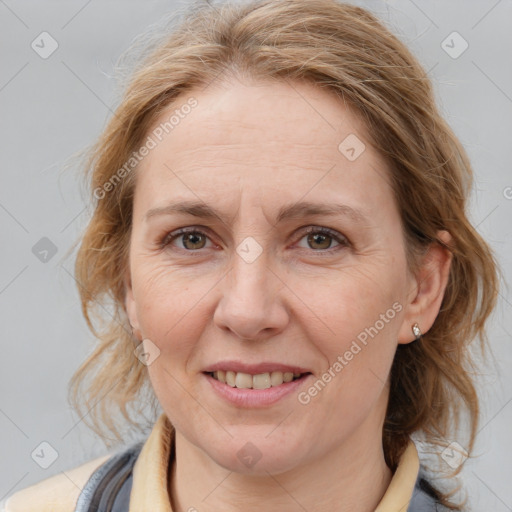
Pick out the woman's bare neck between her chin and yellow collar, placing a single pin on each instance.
(352, 477)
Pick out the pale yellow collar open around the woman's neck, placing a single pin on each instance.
(150, 474)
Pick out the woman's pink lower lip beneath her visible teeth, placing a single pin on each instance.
(255, 397)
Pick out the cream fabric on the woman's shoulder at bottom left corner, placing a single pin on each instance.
(58, 493)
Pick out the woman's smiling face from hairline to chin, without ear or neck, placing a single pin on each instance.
(247, 286)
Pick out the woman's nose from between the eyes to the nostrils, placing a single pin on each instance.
(252, 306)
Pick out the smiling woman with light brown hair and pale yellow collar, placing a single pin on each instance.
(280, 220)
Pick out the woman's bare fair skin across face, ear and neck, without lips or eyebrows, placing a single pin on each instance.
(247, 149)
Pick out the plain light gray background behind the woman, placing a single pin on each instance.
(50, 108)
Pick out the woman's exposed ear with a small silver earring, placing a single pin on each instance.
(427, 289)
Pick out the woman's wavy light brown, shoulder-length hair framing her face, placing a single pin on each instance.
(346, 51)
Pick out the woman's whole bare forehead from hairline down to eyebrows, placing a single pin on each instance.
(280, 137)
